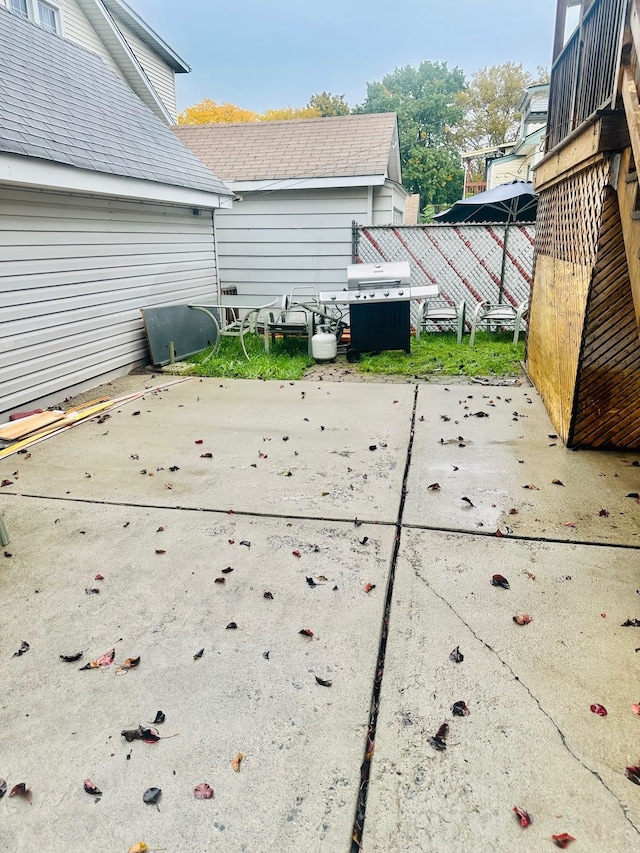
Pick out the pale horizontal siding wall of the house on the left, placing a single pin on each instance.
(74, 274)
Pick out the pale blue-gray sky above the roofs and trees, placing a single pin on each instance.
(262, 54)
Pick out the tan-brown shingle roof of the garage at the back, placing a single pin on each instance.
(341, 146)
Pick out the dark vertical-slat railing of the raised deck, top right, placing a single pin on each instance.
(583, 77)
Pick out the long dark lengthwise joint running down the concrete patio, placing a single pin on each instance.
(365, 768)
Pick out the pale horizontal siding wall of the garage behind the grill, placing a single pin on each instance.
(273, 241)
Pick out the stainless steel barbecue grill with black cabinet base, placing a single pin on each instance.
(378, 296)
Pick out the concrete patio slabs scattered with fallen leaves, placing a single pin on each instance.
(303, 497)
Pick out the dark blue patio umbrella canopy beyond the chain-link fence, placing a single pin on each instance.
(514, 202)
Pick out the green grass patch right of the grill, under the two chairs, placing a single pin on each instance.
(493, 355)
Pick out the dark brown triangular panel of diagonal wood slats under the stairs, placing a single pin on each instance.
(608, 382)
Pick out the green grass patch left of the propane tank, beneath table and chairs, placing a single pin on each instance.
(287, 359)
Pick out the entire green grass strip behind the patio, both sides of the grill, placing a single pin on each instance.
(434, 354)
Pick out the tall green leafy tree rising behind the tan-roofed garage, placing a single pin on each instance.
(425, 100)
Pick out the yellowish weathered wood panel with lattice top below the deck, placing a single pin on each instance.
(567, 231)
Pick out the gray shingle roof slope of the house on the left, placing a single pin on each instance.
(60, 102)
